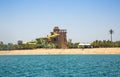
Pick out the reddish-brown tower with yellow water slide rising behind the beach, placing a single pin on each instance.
(58, 36)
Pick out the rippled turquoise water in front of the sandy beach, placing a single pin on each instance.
(60, 66)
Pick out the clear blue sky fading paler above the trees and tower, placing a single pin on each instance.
(85, 20)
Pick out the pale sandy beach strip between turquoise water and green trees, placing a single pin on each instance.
(62, 51)
